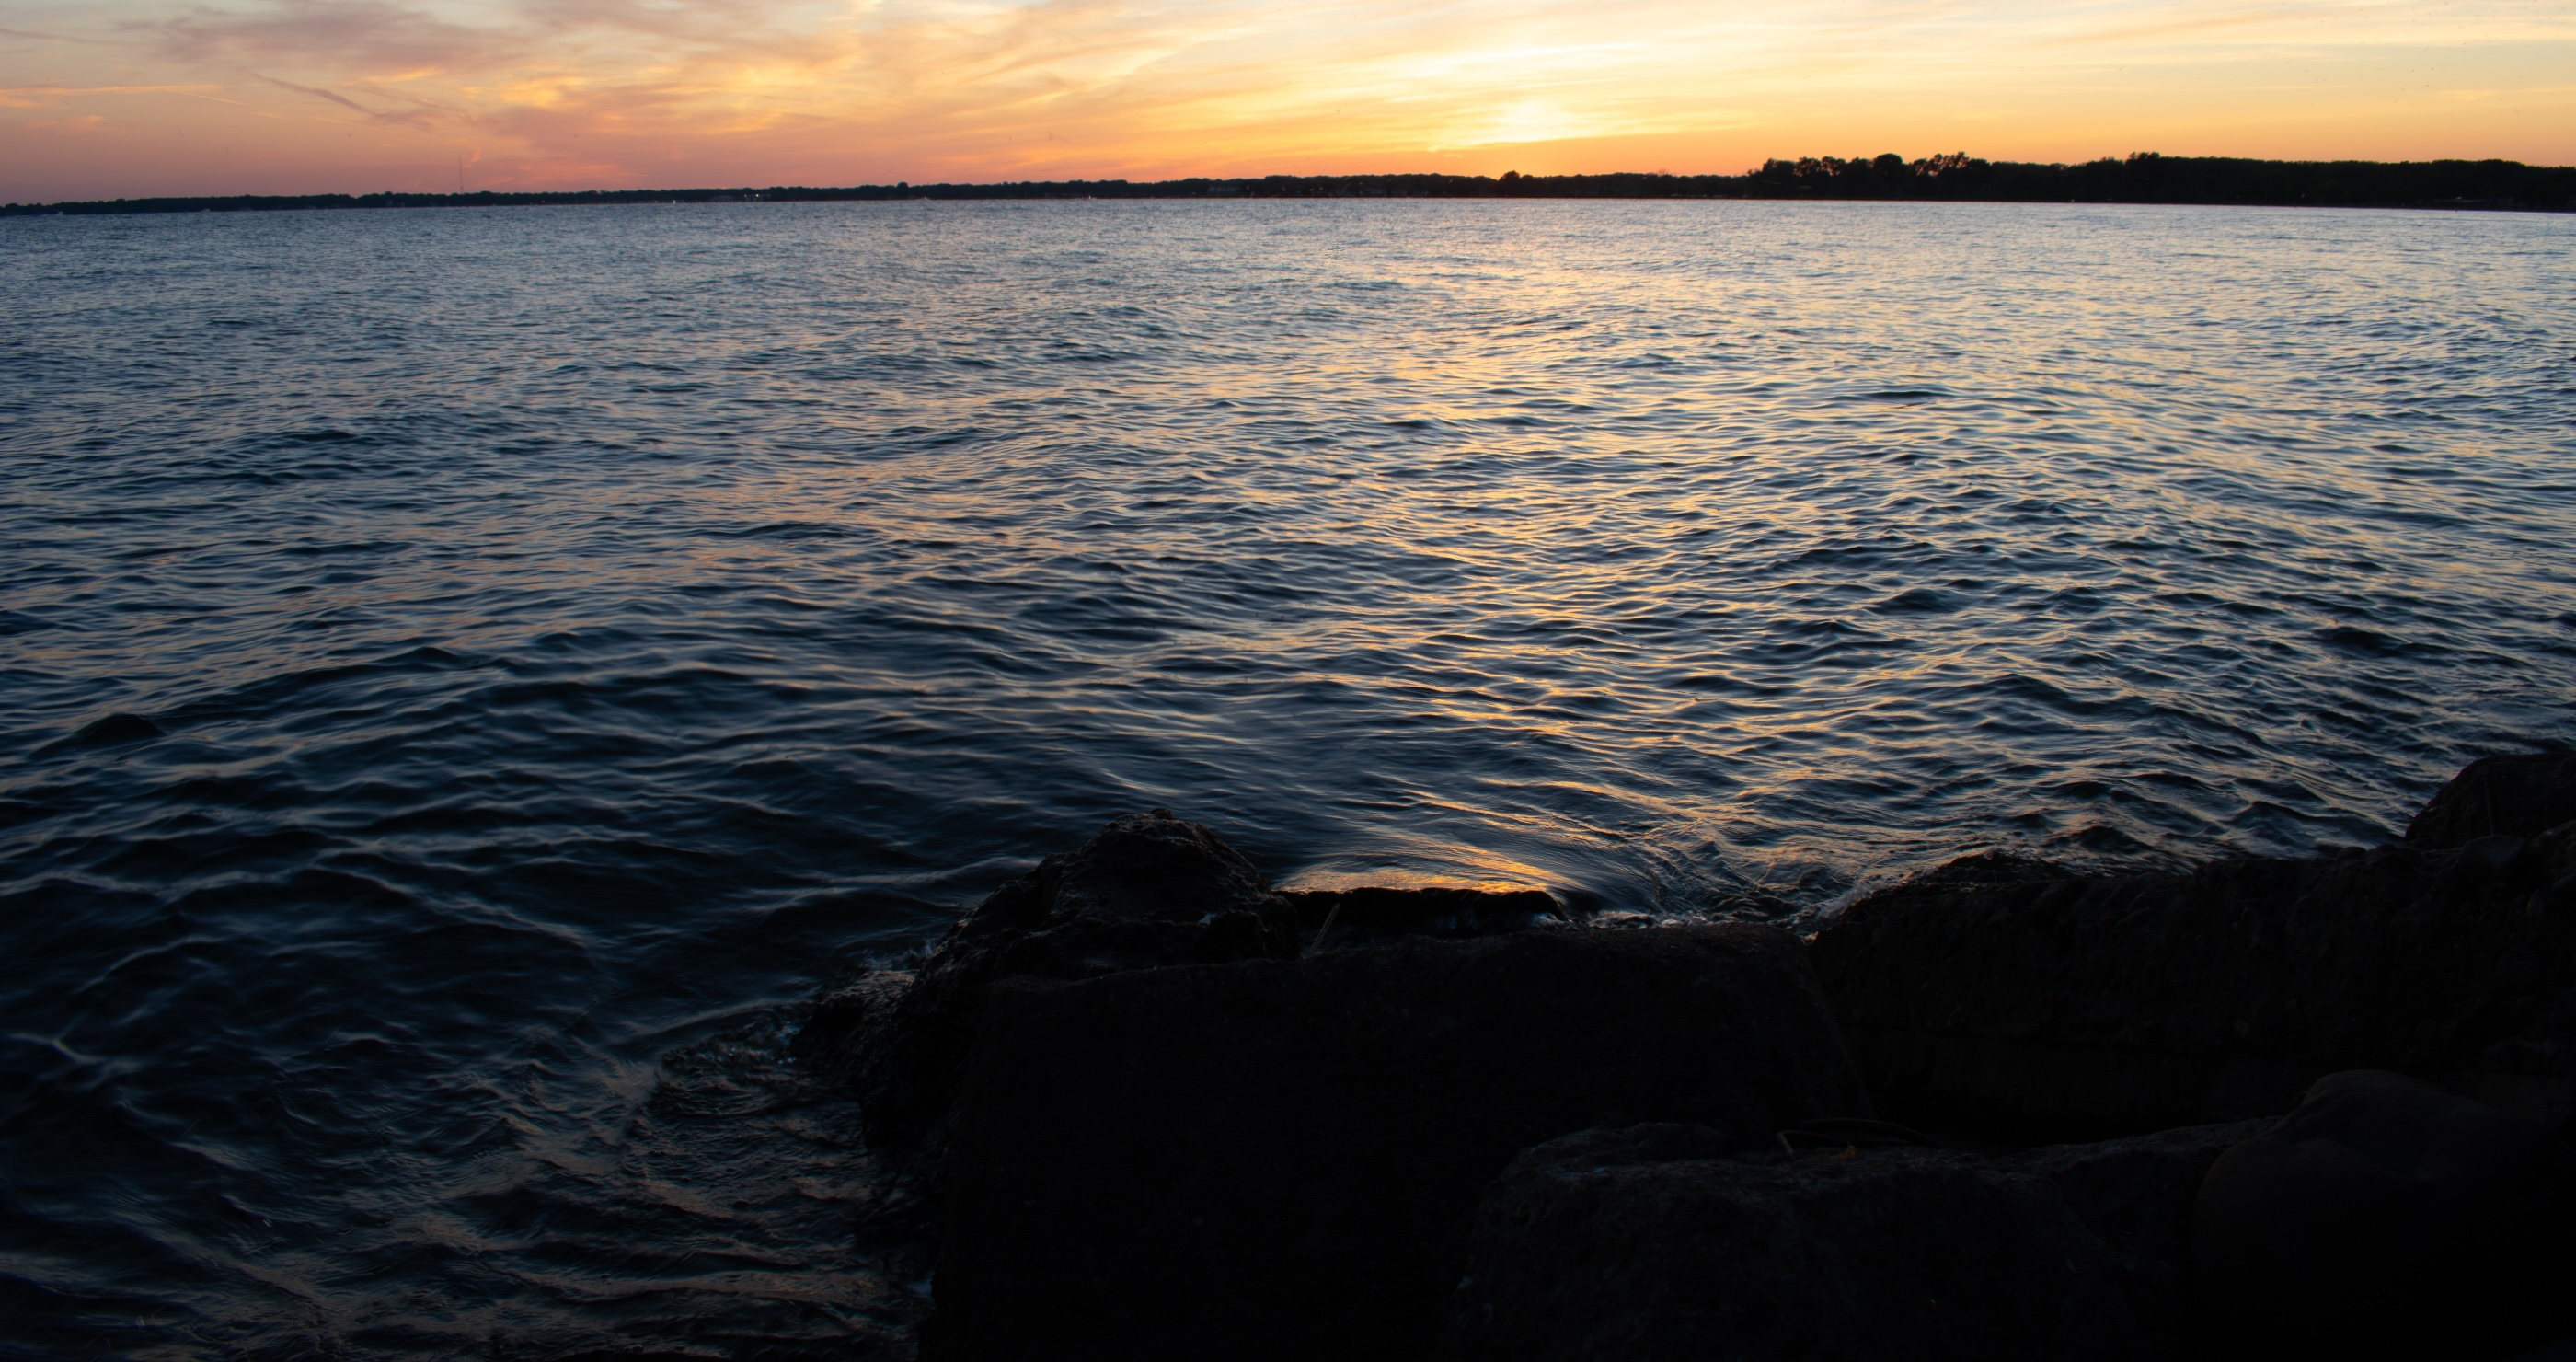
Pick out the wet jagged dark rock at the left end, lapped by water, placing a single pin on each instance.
(1145, 892)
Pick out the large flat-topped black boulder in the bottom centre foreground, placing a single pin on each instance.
(1279, 1157)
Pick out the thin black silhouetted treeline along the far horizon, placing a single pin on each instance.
(2139, 179)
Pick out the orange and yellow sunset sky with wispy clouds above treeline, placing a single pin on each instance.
(305, 97)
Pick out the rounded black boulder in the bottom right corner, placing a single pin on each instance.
(2389, 1222)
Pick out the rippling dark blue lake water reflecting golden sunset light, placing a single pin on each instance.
(573, 635)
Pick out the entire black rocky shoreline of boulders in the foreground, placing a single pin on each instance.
(2266, 1108)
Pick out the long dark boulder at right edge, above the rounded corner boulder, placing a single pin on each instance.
(2116, 1005)
